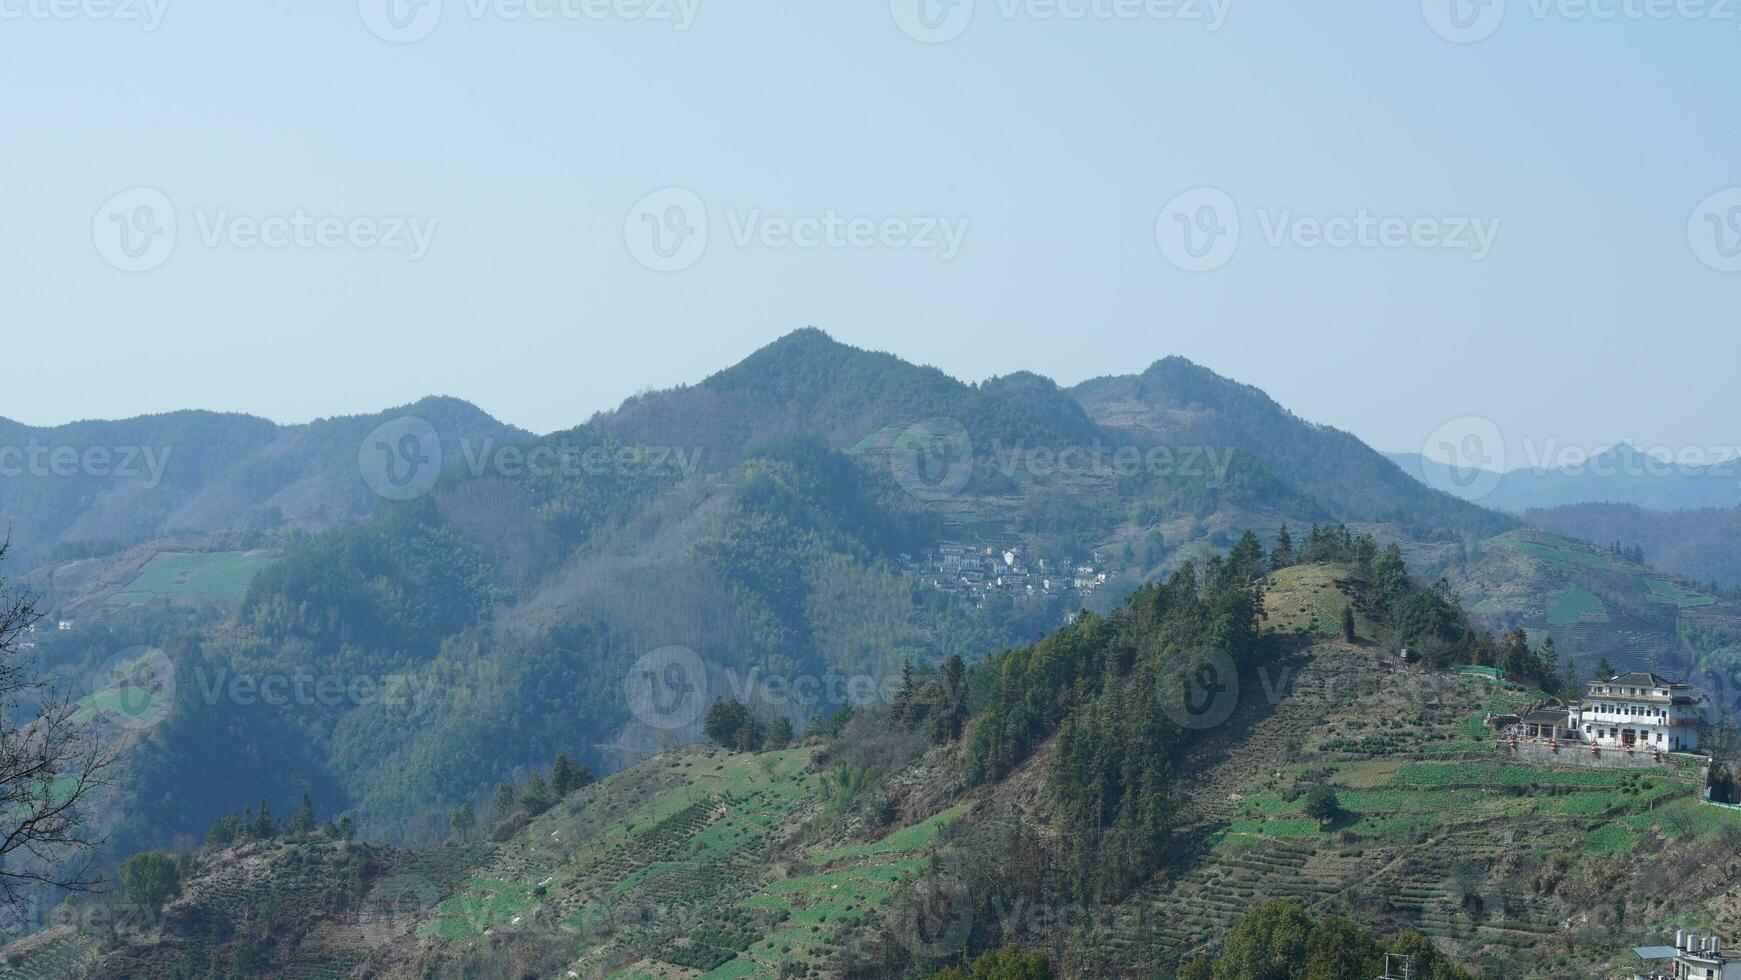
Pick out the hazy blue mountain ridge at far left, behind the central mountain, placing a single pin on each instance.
(98, 485)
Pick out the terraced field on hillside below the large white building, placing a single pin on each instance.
(1435, 826)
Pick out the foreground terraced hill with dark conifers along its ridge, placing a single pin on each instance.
(1073, 807)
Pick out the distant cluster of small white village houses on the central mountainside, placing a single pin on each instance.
(978, 574)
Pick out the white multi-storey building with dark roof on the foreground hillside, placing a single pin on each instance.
(1641, 711)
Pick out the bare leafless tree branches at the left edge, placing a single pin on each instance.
(51, 769)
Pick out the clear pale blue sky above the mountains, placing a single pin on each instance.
(1395, 217)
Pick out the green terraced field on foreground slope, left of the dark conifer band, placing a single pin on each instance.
(690, 869)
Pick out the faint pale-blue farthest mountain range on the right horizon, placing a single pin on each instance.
(1620, 474)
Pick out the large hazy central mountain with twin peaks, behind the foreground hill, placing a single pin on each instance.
(774, 532)
